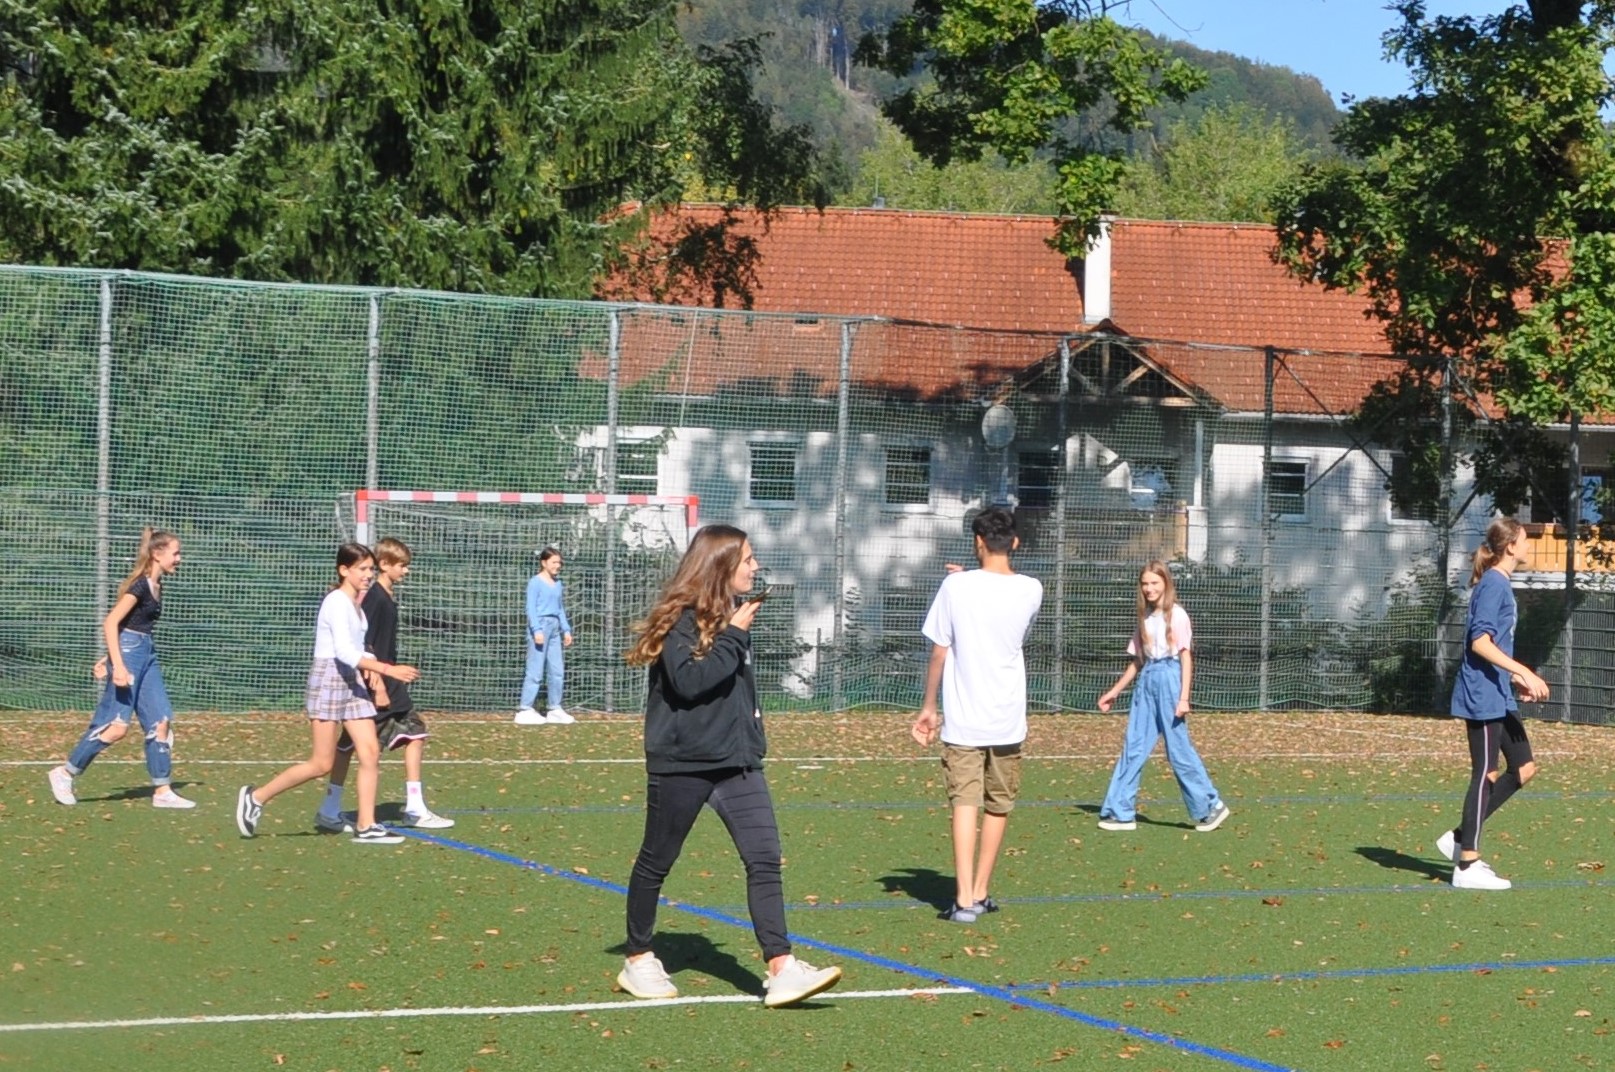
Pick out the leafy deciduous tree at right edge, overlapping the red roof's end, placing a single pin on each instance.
(1477, 214)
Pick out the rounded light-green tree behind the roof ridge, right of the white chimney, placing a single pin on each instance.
(1227, 165)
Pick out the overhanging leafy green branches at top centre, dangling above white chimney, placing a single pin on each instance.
(1009, 75)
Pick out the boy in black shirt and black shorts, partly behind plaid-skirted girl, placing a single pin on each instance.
(398, 726)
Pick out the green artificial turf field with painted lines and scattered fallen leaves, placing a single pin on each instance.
(1314, 931)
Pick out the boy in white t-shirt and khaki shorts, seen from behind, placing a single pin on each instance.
(978, 624)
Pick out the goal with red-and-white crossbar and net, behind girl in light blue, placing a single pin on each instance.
(463, 616)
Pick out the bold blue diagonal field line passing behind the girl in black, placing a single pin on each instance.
(1002, 994)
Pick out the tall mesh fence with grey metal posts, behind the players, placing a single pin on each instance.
(855, 451)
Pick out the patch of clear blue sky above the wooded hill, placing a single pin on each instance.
(1338, 41)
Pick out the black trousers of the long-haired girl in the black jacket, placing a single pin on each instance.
(671, 808)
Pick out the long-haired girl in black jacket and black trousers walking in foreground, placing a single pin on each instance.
(703, 747)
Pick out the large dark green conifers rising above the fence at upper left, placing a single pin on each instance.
(480, 146)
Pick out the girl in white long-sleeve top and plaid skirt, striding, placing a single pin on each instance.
(338, 698)
